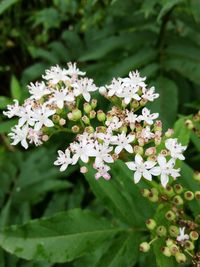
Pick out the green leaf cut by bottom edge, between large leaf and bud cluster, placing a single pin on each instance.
(123, 251)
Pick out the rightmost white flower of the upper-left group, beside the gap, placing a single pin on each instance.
(83, 87)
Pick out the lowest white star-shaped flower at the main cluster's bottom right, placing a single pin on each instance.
(165, 169)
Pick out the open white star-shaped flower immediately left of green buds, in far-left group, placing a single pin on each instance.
(41, 116)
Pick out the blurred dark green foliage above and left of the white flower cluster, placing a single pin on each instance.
(160, 38)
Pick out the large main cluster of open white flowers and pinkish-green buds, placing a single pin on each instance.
(128, 131)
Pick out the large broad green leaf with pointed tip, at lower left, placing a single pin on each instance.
(61, 238)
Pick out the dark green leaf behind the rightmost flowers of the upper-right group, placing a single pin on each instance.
(167, 103)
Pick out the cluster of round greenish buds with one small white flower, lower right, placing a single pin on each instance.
(178, 233)
